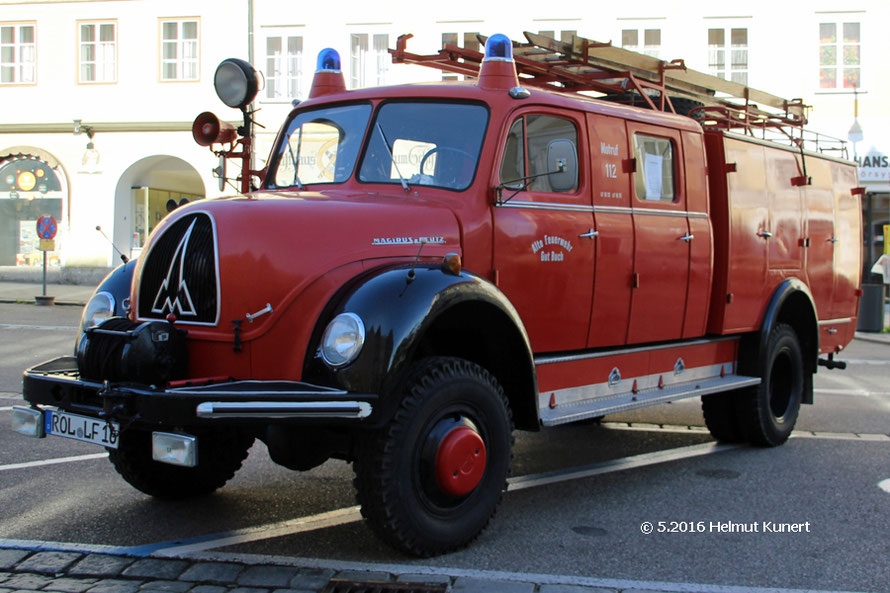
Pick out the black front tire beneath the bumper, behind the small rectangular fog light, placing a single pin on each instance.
(220, 454)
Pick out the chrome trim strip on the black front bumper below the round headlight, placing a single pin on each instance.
(347, 410)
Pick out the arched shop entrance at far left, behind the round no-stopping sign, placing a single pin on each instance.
(32, 184)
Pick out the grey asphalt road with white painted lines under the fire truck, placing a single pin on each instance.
(712, 510)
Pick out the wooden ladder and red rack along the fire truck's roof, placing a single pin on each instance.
(584, 65)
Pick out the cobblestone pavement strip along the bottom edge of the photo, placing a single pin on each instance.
(38, 569)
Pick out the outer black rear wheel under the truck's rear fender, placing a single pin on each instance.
(769, 411)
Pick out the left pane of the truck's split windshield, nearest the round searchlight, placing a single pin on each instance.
(321, 146)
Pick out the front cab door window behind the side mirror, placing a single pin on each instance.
(532, 149)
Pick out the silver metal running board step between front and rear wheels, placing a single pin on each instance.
(580, 403)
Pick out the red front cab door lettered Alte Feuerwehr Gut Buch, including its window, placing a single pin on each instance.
(543, 227)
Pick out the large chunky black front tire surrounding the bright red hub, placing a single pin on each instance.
(396, 484)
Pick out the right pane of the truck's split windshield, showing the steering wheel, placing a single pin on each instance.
(425, 143)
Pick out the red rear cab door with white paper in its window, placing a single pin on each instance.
(662, 236)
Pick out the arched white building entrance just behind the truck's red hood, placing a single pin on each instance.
(142, 193)
